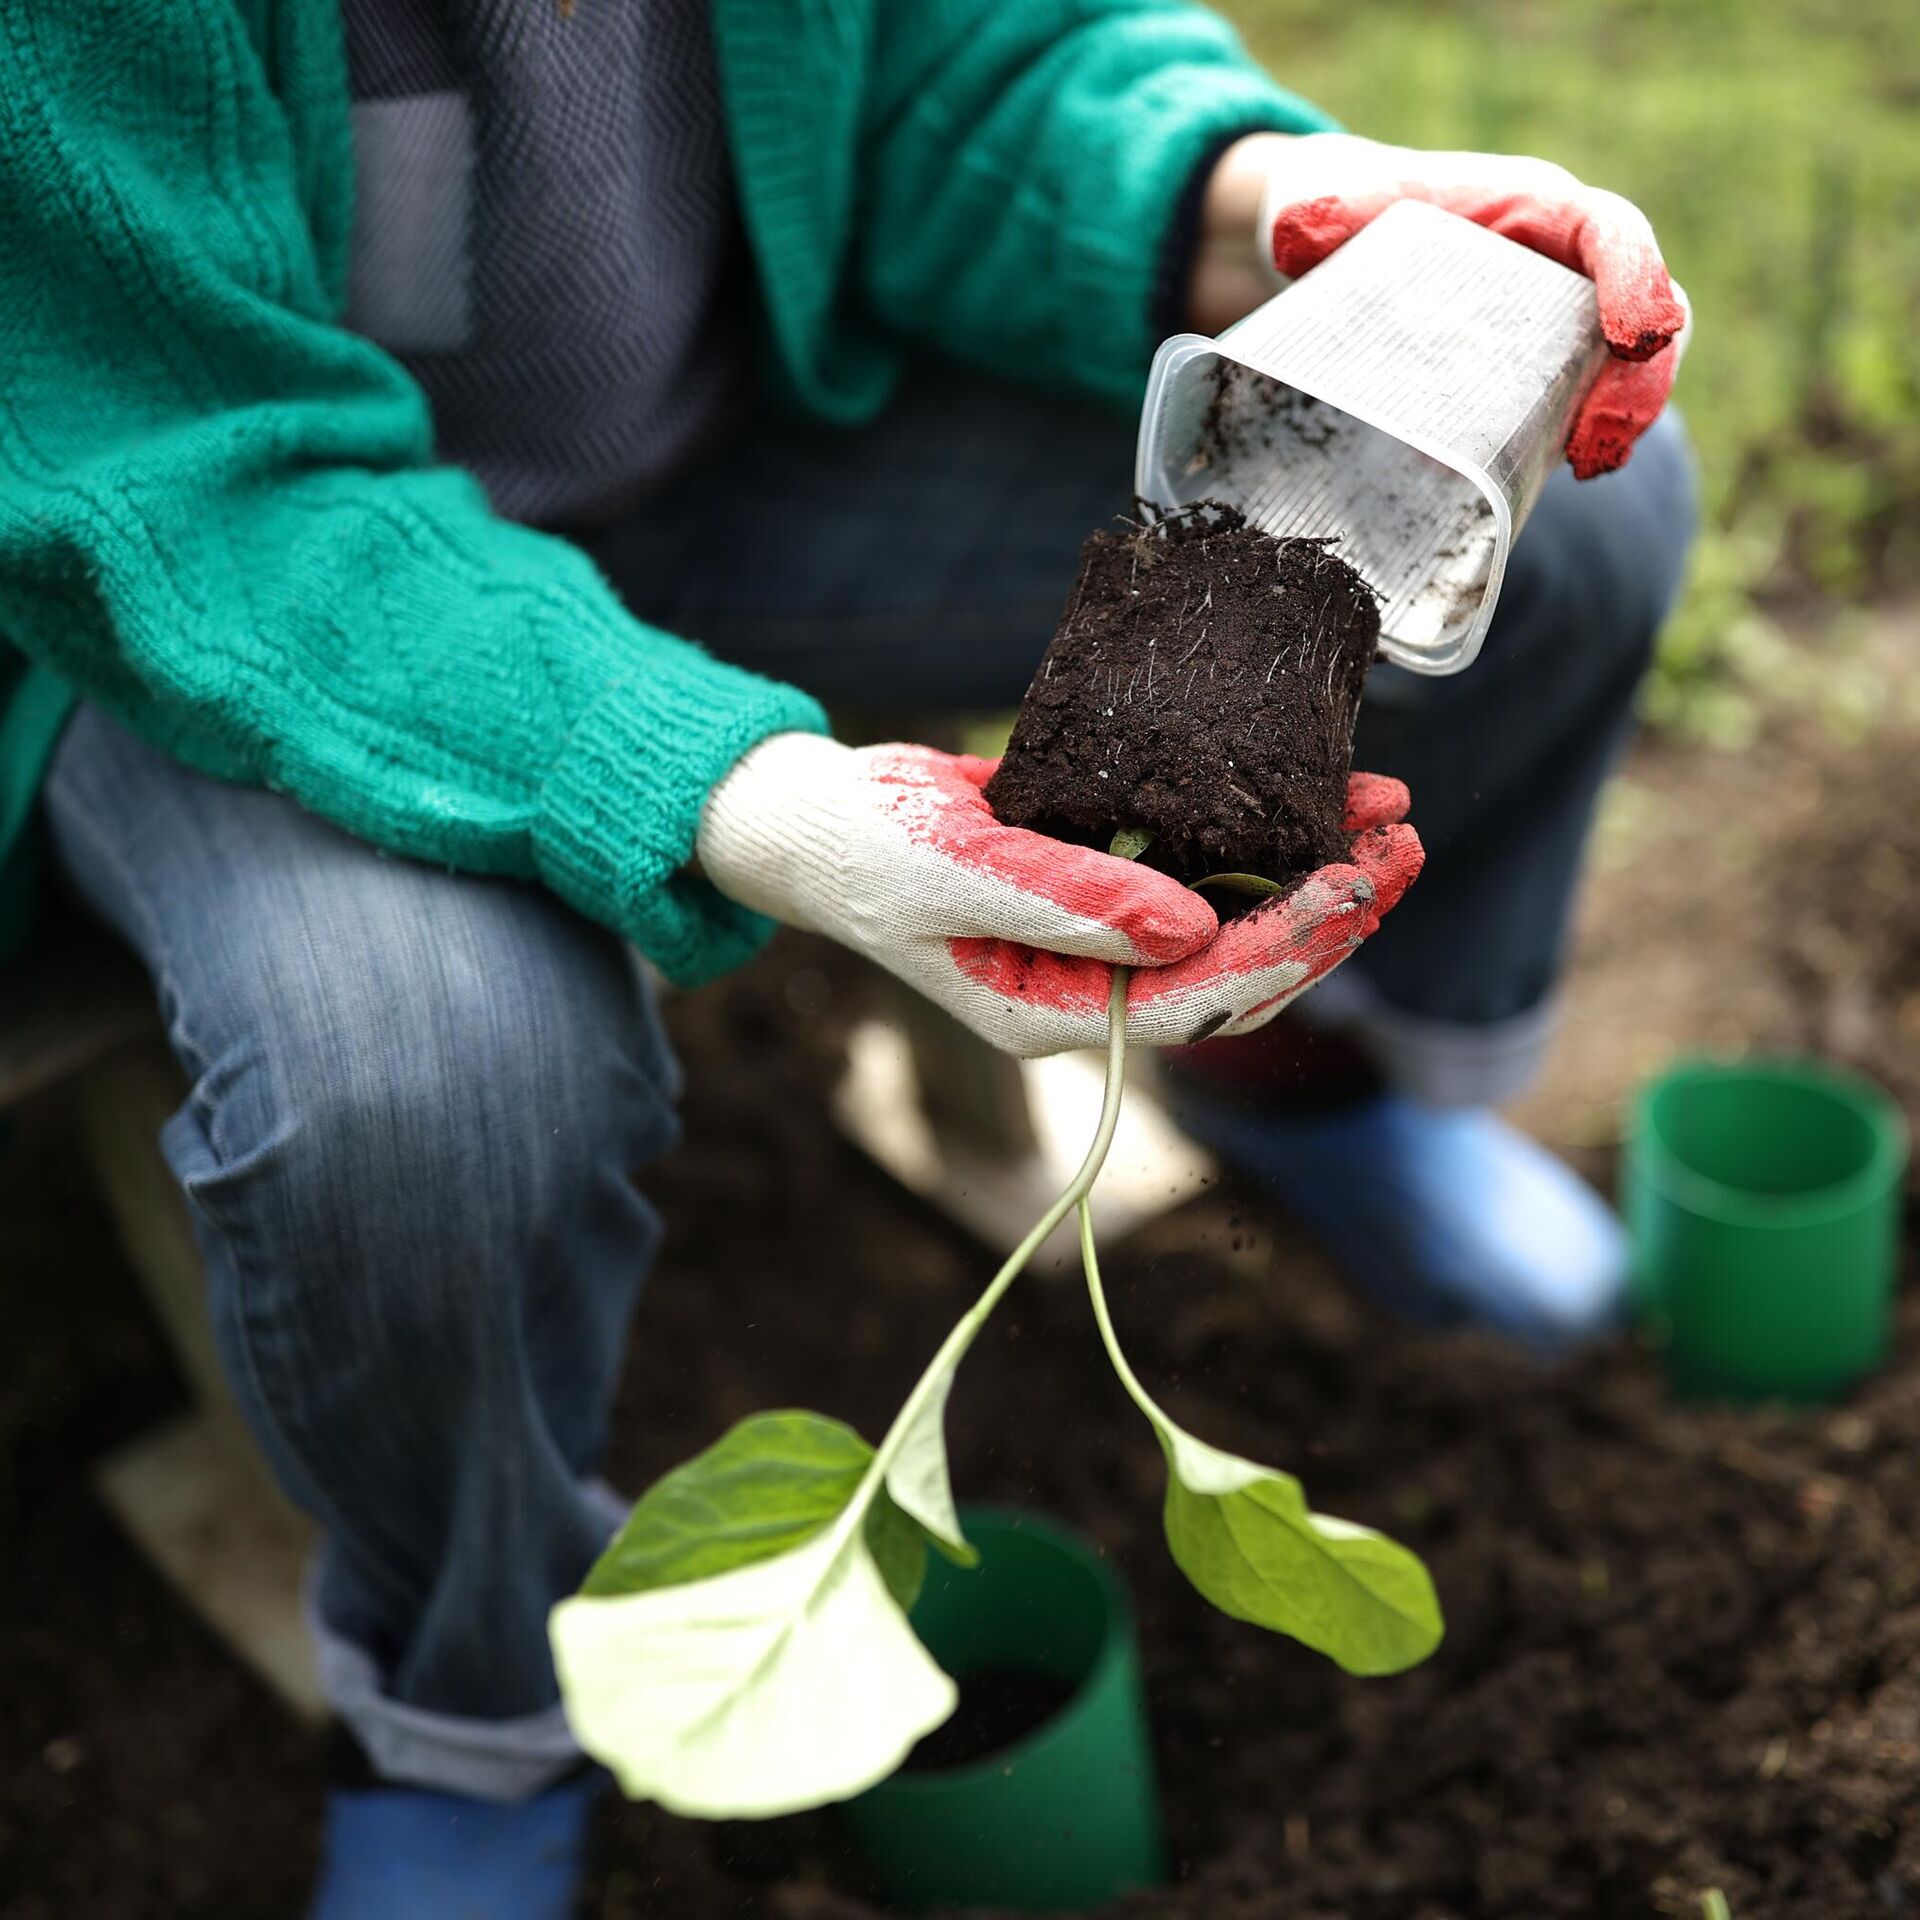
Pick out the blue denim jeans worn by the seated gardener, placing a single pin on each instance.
(420, 1099)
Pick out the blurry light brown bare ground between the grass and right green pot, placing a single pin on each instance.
(1752, 900)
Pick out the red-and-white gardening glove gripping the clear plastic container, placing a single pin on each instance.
(1322, 189)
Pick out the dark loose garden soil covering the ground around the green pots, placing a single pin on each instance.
(1683, 1648)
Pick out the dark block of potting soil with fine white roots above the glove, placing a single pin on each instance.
(1203, 684)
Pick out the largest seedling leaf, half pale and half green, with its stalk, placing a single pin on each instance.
(742, 1648)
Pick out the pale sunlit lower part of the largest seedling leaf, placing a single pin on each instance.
(782, 1685)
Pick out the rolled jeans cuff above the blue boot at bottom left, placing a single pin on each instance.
(444, 1752)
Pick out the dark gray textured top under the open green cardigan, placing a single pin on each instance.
(546, 237)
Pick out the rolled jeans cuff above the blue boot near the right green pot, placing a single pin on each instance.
(1443, 1063)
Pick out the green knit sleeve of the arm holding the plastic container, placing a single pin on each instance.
(1022, 168)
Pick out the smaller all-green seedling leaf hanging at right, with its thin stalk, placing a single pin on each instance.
(1251, 1545)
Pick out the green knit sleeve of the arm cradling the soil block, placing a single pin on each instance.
(220, 514)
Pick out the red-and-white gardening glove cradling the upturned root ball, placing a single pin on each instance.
(894, 853)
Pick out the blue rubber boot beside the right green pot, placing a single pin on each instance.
(1447, 1216)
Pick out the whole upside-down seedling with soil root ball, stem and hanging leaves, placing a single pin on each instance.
(744, 1644)
